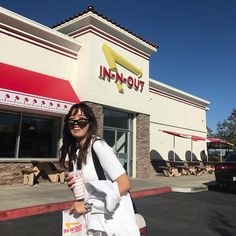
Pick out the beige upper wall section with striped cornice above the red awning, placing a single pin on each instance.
(32, 46)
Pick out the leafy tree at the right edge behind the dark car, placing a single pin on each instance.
(226, 130)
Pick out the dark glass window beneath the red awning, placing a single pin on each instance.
(28, 136)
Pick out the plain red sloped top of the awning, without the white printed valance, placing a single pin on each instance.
(30, 82)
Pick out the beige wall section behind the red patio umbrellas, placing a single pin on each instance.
(172, 114)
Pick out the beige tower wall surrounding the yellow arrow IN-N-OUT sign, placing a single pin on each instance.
(92, 88)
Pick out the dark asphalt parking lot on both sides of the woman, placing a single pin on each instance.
(207, 213)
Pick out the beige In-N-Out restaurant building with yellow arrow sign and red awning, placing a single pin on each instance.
(88, 57)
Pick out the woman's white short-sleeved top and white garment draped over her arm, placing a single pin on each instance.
(119, 219)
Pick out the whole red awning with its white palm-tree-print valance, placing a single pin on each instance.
(29, 89)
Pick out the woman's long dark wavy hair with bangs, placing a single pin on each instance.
(69, 145)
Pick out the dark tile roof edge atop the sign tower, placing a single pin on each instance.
(91, 9)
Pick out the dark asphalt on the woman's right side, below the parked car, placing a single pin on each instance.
(207, 213)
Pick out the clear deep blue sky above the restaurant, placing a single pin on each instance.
(197, 40)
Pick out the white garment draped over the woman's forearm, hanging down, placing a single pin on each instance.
(111, 213)
